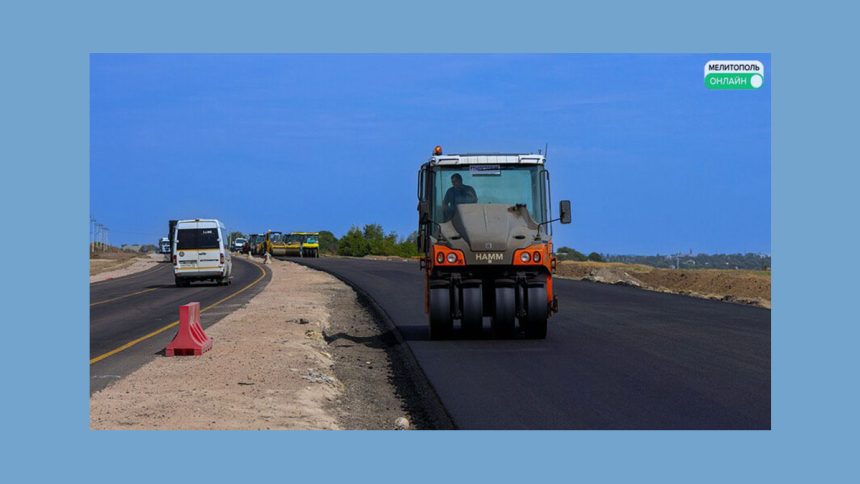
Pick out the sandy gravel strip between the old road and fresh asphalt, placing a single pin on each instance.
(302, 354)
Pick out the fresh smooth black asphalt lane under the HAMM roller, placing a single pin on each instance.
(614, 358)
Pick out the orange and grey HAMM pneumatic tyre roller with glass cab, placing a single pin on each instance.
(485, 235)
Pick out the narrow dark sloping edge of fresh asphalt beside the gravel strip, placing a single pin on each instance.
(436, 411)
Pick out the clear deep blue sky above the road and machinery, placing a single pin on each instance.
(652, 161)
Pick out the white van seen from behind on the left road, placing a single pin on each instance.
(200, 252)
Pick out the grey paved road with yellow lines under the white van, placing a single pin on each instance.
(125, 309)
